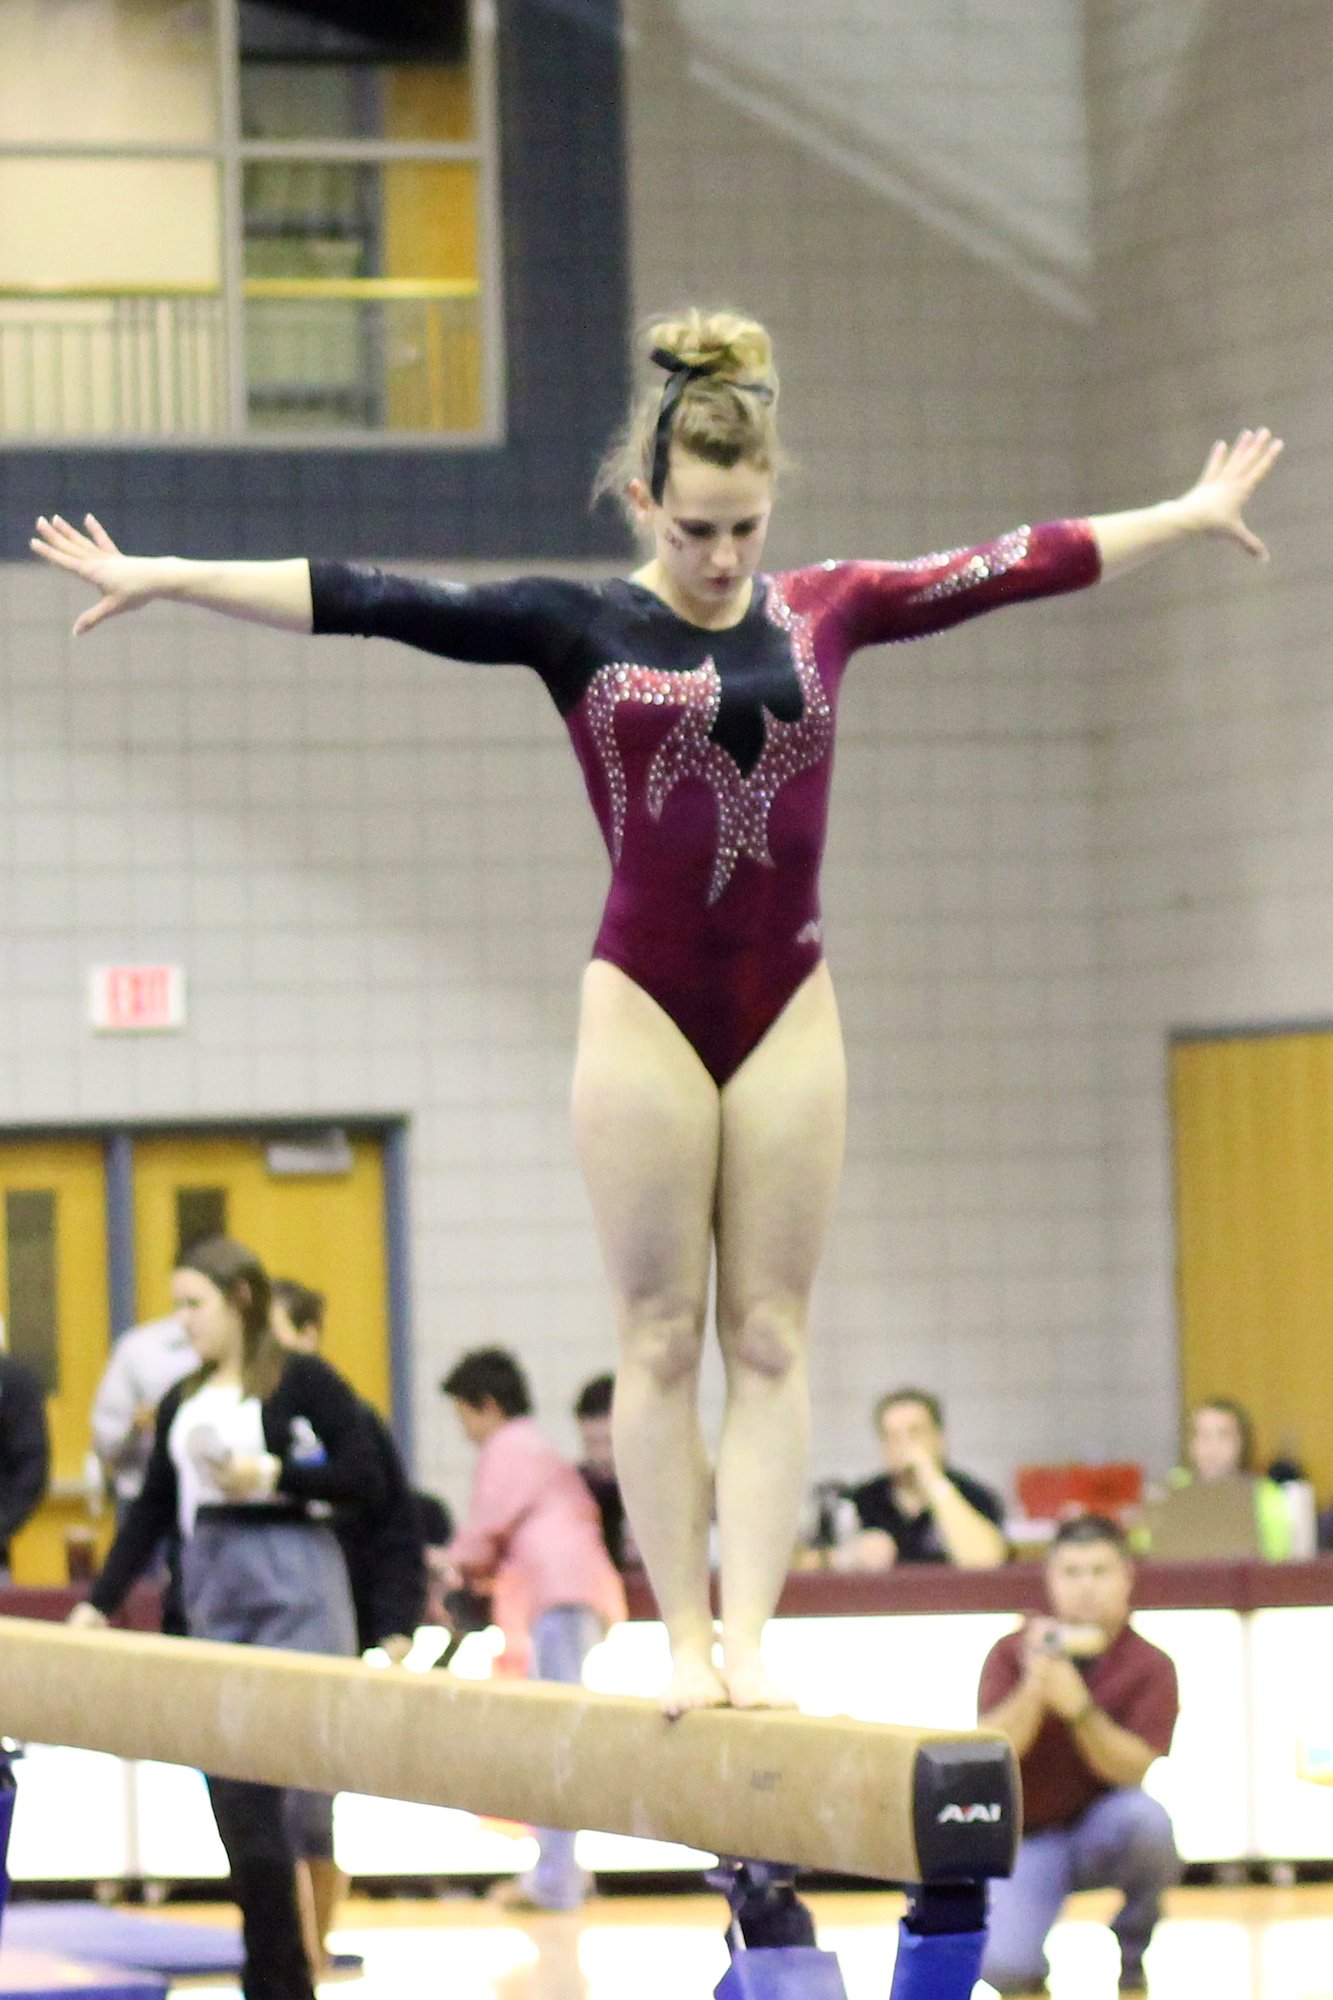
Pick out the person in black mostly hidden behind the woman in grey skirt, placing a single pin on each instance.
(385, 1561)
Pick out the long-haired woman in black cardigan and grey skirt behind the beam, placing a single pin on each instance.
(247, 1457)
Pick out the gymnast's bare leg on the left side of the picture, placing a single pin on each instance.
(647, 1125)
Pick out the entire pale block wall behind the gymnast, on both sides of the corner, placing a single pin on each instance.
(1056, 835)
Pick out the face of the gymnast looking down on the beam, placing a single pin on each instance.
(708, 535)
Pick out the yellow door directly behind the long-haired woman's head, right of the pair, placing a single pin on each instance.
(325, 1229)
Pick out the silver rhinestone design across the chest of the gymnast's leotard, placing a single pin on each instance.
(688, 751)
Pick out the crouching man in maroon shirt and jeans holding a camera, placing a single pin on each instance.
(1088, 1707)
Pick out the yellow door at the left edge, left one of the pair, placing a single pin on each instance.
(53, 1285)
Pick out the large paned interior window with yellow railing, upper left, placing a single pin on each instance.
(247, 219)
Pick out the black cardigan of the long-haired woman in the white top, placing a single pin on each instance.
(349, 1475)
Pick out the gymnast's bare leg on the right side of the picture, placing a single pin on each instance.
(784, 1131)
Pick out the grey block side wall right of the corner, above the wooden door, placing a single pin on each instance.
(1214, 679)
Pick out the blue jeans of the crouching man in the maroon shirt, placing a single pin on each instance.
(1124, 1841)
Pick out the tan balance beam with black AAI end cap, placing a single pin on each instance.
(866, 1799)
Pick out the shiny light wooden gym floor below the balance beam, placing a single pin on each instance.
(1214, 1945)
